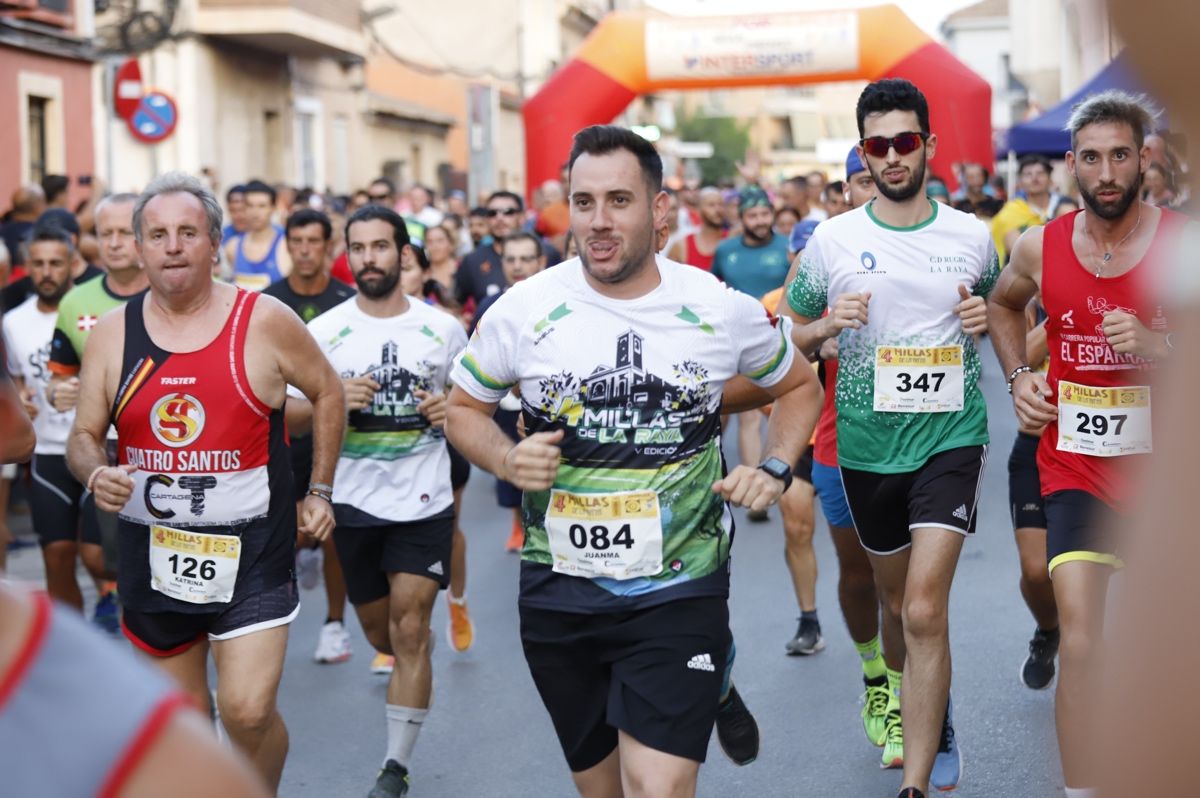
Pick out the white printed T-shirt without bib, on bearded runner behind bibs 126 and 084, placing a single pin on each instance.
(394, 465)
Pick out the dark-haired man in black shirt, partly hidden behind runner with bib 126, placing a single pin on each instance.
(310, 292)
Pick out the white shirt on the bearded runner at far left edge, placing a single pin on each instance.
(27, 338)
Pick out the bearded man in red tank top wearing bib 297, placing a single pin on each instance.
(1097, 272)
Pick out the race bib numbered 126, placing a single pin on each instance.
(194, 567)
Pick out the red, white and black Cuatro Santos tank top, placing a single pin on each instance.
(211, 458)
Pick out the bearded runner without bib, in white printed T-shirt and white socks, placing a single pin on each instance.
(393, 497)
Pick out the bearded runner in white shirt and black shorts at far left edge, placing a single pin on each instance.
(56, 499)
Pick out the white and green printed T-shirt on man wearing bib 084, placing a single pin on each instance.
(632, 520)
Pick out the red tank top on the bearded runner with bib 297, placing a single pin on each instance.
(1076, 302)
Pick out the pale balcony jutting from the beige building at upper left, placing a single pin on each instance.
(305, 28)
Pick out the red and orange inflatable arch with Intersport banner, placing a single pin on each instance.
(631, 55)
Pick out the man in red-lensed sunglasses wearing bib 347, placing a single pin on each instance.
(905, 280)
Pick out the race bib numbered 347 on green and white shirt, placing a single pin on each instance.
(919, 380)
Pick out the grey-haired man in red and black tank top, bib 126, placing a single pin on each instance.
(194, 376)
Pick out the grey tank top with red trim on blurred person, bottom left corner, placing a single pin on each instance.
(77, 713)
